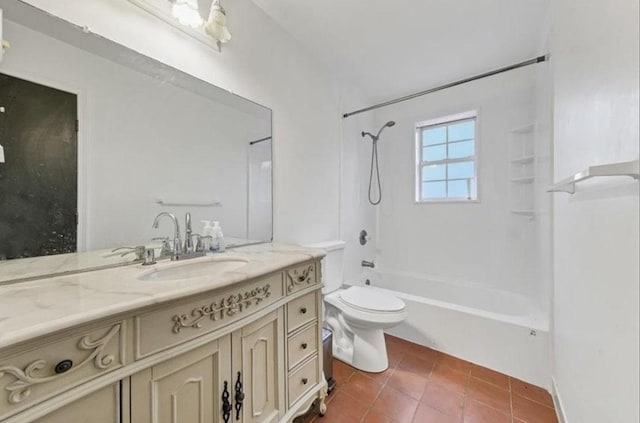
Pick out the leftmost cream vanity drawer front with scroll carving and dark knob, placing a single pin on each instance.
(54, 364)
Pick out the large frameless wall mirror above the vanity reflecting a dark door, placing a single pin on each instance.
(98, 140)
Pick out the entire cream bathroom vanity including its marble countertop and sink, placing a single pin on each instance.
(230, 337)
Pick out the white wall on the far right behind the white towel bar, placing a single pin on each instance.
(595, 76)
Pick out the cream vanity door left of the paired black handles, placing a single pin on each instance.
(184, 389)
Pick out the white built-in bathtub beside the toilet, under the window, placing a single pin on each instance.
(497, 329)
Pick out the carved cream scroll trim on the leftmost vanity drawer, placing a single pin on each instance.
(27, 377)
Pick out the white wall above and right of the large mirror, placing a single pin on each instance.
(264, 64)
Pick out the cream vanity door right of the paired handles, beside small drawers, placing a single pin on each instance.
(258, 362)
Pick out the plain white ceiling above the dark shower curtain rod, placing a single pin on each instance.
(396, 47)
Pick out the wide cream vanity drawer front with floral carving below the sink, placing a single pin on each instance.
(182, 321)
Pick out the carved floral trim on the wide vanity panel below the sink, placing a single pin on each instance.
(229, 306)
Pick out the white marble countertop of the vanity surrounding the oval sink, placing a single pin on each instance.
(39, 307)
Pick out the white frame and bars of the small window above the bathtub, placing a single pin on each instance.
(445, 121)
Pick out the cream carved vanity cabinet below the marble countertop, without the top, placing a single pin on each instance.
(247, 352)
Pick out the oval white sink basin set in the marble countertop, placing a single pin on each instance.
(192, 269)
